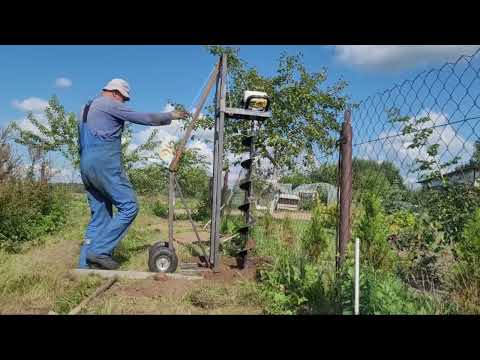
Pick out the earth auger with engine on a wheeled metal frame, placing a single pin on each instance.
(162, 257)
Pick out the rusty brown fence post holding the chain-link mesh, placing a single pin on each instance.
(345, 186)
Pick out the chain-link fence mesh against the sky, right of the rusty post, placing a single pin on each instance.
(426, 125)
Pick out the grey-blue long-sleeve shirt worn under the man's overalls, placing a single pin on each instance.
(106, 117)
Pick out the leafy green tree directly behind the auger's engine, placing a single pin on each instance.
(304, 111)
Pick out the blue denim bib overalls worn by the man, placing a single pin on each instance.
(106, 184)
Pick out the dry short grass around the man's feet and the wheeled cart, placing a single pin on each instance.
(36, 280)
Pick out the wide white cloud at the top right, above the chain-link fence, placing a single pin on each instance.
(394, 57)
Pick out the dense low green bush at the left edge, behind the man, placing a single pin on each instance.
(29, 210)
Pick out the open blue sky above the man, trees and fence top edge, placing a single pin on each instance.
(28, 74)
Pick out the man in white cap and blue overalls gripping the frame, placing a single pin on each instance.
(100, 131)
